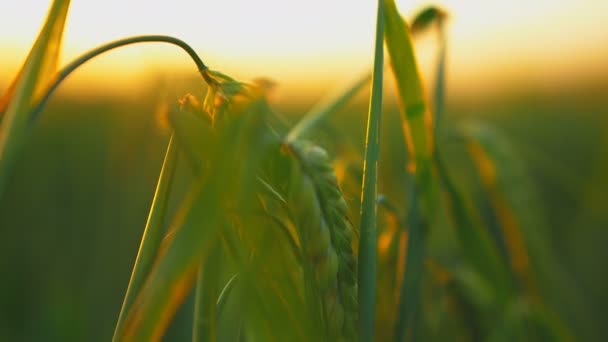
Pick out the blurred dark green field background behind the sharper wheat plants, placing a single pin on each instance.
(74, 213)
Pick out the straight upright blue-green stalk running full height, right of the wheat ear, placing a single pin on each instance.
(369, 206)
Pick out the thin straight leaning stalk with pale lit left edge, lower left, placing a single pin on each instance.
(153, 234)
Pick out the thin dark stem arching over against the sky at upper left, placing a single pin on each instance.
(66, 71)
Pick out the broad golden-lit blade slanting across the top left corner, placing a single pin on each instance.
(39, 66)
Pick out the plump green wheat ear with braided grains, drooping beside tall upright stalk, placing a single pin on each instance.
(322, 218)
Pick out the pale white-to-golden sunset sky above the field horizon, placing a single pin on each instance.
(305, 42)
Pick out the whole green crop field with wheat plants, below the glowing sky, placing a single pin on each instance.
(200, 208)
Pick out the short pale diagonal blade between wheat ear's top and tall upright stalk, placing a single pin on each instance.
(326, 108)
